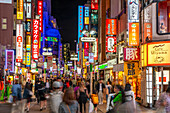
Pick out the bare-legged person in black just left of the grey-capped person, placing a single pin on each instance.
(42, 94)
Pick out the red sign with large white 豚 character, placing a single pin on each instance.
(132, 54)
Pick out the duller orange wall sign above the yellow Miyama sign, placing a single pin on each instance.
(147, 31)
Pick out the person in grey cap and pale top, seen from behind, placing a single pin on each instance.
(56, 97)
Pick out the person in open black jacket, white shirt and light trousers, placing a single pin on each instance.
(100, 87)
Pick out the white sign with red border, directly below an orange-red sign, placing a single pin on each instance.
(110, 42)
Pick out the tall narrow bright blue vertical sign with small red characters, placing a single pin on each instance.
(80, 22)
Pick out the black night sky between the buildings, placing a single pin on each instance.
(66, 14)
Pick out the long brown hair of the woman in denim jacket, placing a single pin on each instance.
(68, 96)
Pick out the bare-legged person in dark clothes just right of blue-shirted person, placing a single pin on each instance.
(27, 95)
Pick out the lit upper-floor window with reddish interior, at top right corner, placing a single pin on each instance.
(164, 17)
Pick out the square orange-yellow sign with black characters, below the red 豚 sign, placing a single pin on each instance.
(131, 68)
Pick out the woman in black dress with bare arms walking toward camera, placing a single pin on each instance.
(82, 96)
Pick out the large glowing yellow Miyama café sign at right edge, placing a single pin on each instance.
(159, 53)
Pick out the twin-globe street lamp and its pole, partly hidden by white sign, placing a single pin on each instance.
(89, 33)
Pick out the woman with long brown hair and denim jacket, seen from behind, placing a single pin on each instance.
(69, 104)
